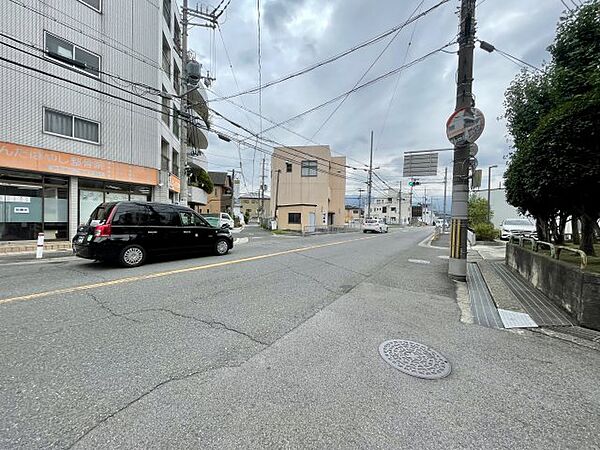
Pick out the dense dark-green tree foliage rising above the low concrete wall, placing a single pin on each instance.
(554, 119)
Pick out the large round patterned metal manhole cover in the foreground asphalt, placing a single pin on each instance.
(415, 359)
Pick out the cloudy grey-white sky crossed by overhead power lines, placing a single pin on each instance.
(407, 111)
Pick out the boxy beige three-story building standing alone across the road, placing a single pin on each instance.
(308, 186)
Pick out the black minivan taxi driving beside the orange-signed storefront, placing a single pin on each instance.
(129, 232)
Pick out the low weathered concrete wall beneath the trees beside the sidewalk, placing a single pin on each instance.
(577, 292)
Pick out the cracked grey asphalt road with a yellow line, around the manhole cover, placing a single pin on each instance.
(275, 345)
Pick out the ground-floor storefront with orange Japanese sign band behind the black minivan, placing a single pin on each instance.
(53, 192)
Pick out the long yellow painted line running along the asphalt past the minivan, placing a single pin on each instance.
(171, 272)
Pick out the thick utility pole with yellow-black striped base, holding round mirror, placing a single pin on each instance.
(457, 267)
